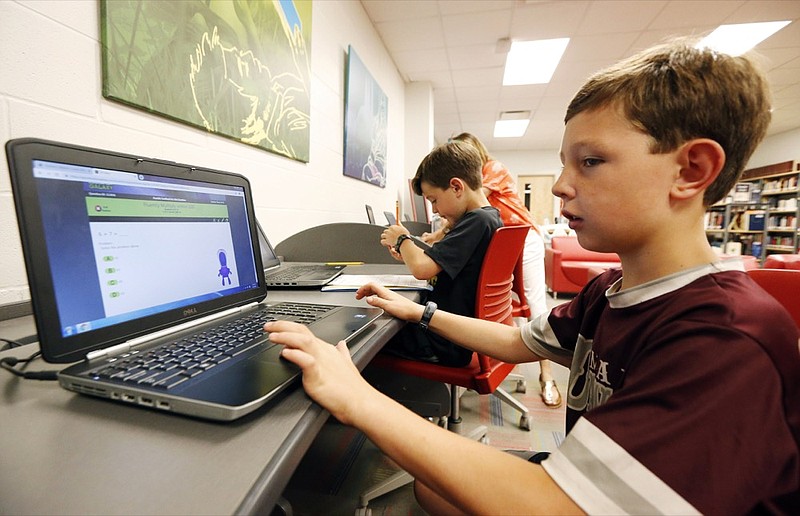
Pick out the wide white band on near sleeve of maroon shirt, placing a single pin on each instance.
(611, 471)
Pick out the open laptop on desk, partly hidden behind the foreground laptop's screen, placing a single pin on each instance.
(280, 274)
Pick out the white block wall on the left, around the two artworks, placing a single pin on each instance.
(50, 87)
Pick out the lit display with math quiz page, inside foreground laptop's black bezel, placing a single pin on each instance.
(132, 245)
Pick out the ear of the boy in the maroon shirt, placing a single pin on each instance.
(701, 161)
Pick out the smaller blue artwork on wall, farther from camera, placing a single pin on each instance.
(366, 124)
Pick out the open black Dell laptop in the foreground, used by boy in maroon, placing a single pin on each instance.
(148, 274)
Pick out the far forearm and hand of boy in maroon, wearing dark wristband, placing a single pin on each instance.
(497, 340)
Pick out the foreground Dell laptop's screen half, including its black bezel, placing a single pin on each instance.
(121, 252)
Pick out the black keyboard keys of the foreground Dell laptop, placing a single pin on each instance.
(173, 363)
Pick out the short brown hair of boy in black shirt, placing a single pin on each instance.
(454, 159)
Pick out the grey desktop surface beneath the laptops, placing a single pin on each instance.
(63, 453)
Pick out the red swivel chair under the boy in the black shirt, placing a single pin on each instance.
(493, 303)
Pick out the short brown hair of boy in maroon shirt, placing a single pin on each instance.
(676, 92)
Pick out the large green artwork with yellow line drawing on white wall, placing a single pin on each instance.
(238, 69)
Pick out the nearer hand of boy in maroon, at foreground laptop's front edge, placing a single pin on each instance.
(329, 375)
